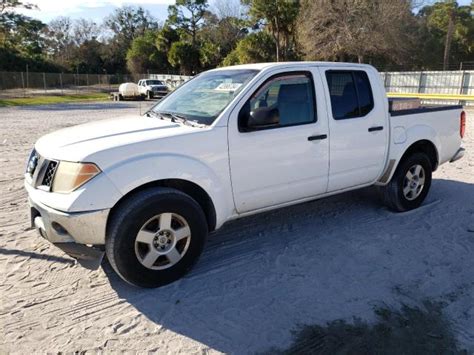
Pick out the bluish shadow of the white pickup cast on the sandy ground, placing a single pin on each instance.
(261, 277)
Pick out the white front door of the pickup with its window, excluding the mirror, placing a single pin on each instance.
(287, 162)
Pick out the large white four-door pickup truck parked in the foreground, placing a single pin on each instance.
(229, 143)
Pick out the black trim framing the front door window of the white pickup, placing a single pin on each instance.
(246, 107)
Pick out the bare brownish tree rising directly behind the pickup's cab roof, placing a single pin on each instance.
(344, 29)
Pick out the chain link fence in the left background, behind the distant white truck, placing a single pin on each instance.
(27, 84)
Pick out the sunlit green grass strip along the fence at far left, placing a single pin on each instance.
(47, 100)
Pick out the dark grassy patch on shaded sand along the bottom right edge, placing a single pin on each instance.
(406, 331)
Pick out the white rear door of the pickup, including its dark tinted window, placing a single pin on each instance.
(358, 125)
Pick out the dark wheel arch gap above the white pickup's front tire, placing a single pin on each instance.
(190, 188)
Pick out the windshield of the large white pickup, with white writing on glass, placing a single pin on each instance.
(203, 98)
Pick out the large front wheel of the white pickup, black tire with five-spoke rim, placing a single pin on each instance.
(129, 253)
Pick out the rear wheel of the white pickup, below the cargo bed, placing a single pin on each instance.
(402, 194)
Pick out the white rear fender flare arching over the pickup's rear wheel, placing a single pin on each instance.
(403, 140)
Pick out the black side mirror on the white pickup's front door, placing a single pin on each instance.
(260, 118)
